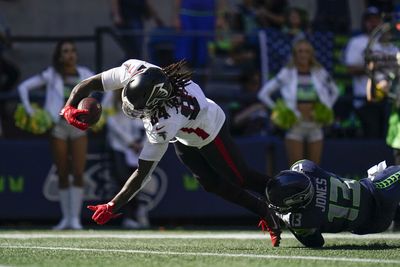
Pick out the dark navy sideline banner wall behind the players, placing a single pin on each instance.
(29, 189)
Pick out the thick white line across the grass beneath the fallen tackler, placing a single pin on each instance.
(183, 235)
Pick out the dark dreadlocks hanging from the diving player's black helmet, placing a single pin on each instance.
(179, 76)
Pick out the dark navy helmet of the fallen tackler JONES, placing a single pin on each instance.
(289, 191)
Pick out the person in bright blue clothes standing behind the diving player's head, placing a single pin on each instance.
(197, 20)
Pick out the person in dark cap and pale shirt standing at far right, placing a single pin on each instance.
(371, 114)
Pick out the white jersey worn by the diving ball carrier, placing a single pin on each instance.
(196, 122)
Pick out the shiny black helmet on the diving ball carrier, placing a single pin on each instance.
(145, 92)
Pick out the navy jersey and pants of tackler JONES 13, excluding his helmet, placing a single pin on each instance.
(339, 204)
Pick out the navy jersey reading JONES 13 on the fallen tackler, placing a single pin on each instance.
(338, 204)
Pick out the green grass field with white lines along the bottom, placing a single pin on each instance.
(190, 248)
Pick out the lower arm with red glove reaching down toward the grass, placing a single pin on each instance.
(105, 212)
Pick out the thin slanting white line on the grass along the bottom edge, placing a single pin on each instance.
(241, 255)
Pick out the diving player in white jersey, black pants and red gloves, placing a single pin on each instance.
(173, 107)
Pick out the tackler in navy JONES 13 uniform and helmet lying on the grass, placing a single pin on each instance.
(312, 201)
